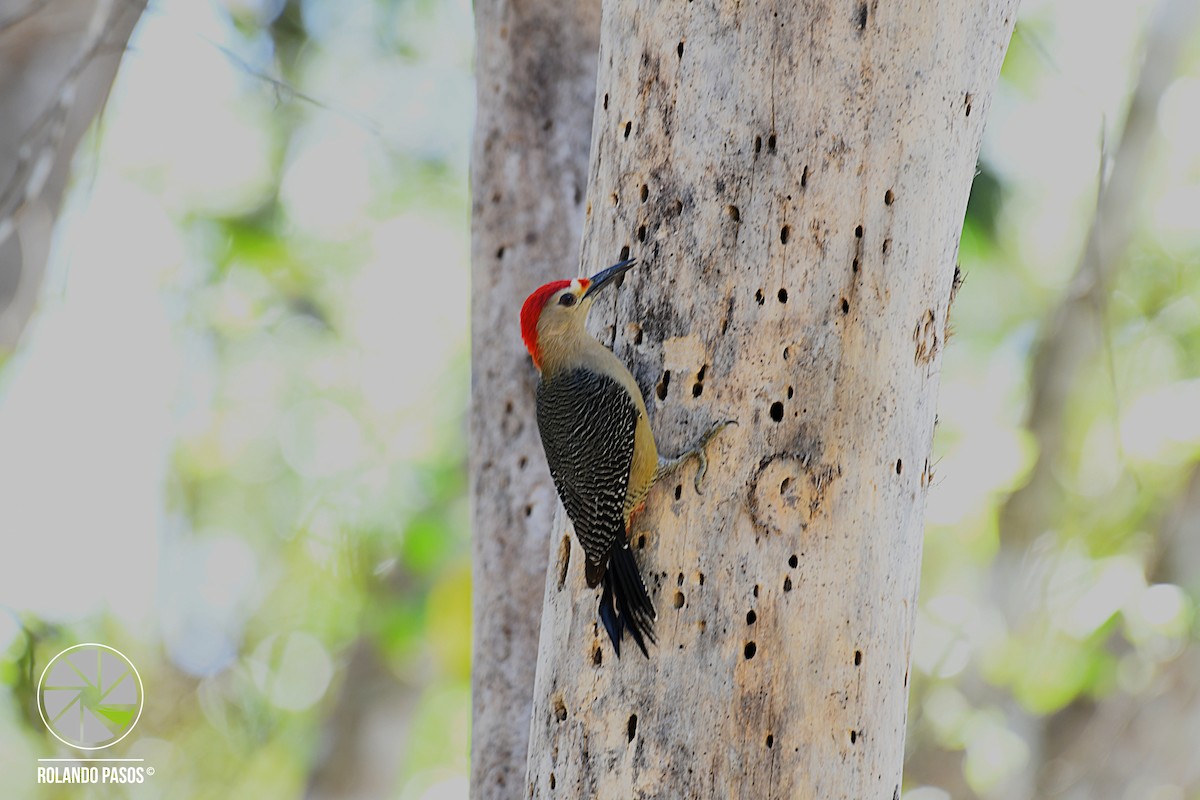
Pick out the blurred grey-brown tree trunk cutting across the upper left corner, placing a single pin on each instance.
(58, 59)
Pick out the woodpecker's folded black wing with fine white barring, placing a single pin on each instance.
(587, 423)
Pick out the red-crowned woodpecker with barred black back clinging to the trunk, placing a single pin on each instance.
(599, 446)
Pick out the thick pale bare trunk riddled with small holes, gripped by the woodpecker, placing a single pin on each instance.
(794, 178)
